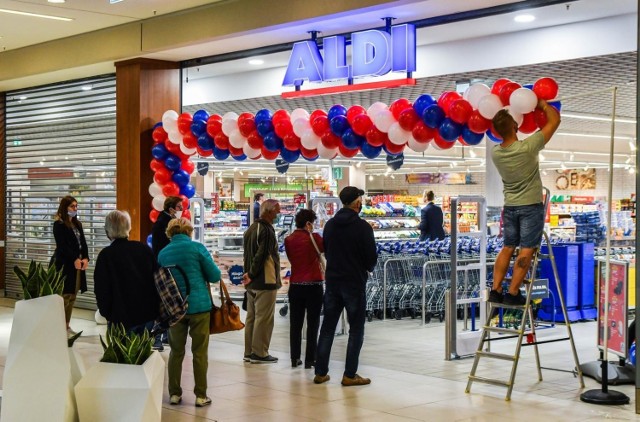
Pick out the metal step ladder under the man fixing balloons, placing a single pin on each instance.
(522, 332)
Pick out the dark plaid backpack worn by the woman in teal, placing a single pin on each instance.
(172, 305)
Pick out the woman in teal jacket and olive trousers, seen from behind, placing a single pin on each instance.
(195, 261)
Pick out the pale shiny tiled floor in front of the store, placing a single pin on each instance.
(410, 380)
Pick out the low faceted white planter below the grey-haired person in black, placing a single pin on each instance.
(118, 392)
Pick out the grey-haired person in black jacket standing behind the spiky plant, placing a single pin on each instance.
(124, 286)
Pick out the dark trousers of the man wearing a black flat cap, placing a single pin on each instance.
(337, 298)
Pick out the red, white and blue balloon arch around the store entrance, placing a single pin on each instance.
(339, 131)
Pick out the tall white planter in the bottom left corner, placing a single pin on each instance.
(37, 383)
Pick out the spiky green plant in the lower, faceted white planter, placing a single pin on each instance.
(123, 347)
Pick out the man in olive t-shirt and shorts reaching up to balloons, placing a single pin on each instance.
(523, 214)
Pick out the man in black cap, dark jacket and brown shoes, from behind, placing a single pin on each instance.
(350, 250)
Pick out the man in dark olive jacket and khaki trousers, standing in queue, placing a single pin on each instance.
(262, 281)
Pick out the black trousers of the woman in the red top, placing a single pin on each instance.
(304, 298)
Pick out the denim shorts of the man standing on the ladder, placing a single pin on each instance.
(523, 225)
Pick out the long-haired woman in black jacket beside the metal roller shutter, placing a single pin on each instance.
(71, 254)
